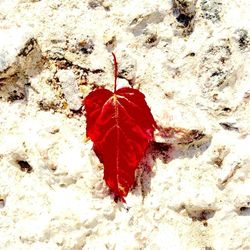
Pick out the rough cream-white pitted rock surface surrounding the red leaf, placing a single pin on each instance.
(192, 61)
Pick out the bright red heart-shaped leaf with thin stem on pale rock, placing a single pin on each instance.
(121, 127)
